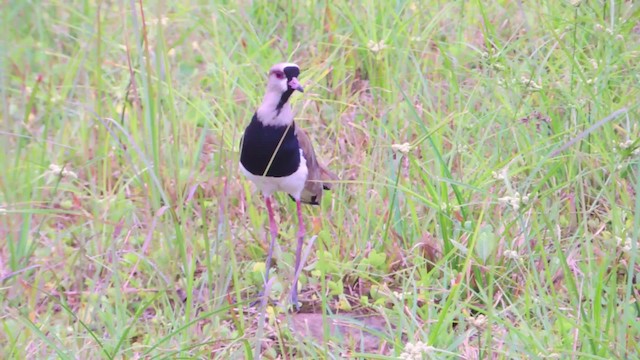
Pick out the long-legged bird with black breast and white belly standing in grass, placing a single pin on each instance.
(277, 156)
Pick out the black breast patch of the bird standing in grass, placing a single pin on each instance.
(259, 144)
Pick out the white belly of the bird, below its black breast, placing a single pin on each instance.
(292, 184)
